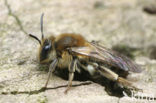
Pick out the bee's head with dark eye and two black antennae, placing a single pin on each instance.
(47, 50)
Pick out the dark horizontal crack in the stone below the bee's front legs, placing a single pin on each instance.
(42, 89)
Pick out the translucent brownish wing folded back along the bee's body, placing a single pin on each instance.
(109, 57)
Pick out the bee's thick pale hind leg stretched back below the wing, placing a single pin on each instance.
(115, 77)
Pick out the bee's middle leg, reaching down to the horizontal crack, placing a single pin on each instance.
(71, 68)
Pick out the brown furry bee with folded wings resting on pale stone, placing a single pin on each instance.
(72, 51)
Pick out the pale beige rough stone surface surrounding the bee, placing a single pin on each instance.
(112, 23)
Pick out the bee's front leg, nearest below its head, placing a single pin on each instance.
(51, 70)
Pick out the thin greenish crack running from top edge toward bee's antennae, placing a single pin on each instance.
(15, 17)
